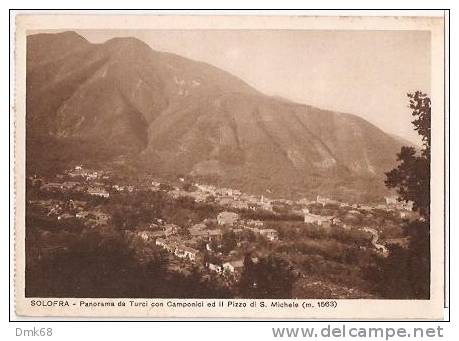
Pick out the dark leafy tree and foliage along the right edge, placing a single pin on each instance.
(405, 273)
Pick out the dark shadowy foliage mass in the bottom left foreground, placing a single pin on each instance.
(103, 265)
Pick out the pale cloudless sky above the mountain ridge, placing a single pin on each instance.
(367, 73)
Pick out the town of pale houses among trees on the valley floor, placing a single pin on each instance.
(212, 233)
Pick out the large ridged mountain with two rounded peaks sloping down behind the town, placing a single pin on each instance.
(170, 115)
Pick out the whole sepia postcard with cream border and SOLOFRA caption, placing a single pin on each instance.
(257, 165)
